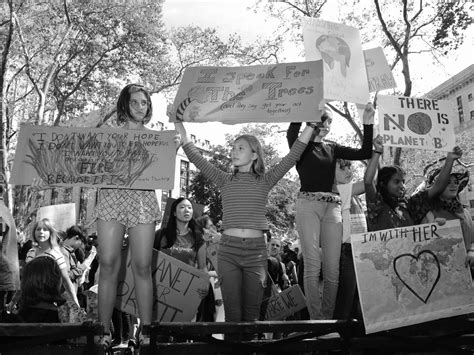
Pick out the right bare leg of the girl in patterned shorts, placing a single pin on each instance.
(141, 238)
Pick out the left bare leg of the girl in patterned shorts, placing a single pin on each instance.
(110, 236)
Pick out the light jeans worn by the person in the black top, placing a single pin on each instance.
(320, 231)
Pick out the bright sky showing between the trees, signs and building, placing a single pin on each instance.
(237, 16)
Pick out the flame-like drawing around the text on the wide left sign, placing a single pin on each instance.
(114, 161)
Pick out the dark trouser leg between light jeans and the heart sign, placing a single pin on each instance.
(347, 301)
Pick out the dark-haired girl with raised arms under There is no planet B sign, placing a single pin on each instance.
(387, 205)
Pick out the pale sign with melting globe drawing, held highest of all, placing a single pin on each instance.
(339, 46)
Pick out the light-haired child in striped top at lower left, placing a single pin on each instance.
(46, 239)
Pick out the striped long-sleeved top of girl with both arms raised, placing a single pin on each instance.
(244, 195)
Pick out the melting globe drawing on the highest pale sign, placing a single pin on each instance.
(334, 49)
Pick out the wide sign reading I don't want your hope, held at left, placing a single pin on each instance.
(99, 157)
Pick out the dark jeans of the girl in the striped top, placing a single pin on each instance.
(242, 265)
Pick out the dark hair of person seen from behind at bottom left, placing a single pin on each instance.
(41, 281)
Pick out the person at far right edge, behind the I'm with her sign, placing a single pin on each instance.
(447, 206)
